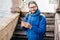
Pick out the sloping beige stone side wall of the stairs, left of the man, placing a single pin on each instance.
(7, 26)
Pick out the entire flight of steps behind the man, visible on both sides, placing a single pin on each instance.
(20, 34)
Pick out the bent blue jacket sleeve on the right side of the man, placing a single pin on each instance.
(42, 26)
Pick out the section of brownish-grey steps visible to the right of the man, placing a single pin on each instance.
(50, 17)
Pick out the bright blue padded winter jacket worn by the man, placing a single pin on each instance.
(38, 23)
